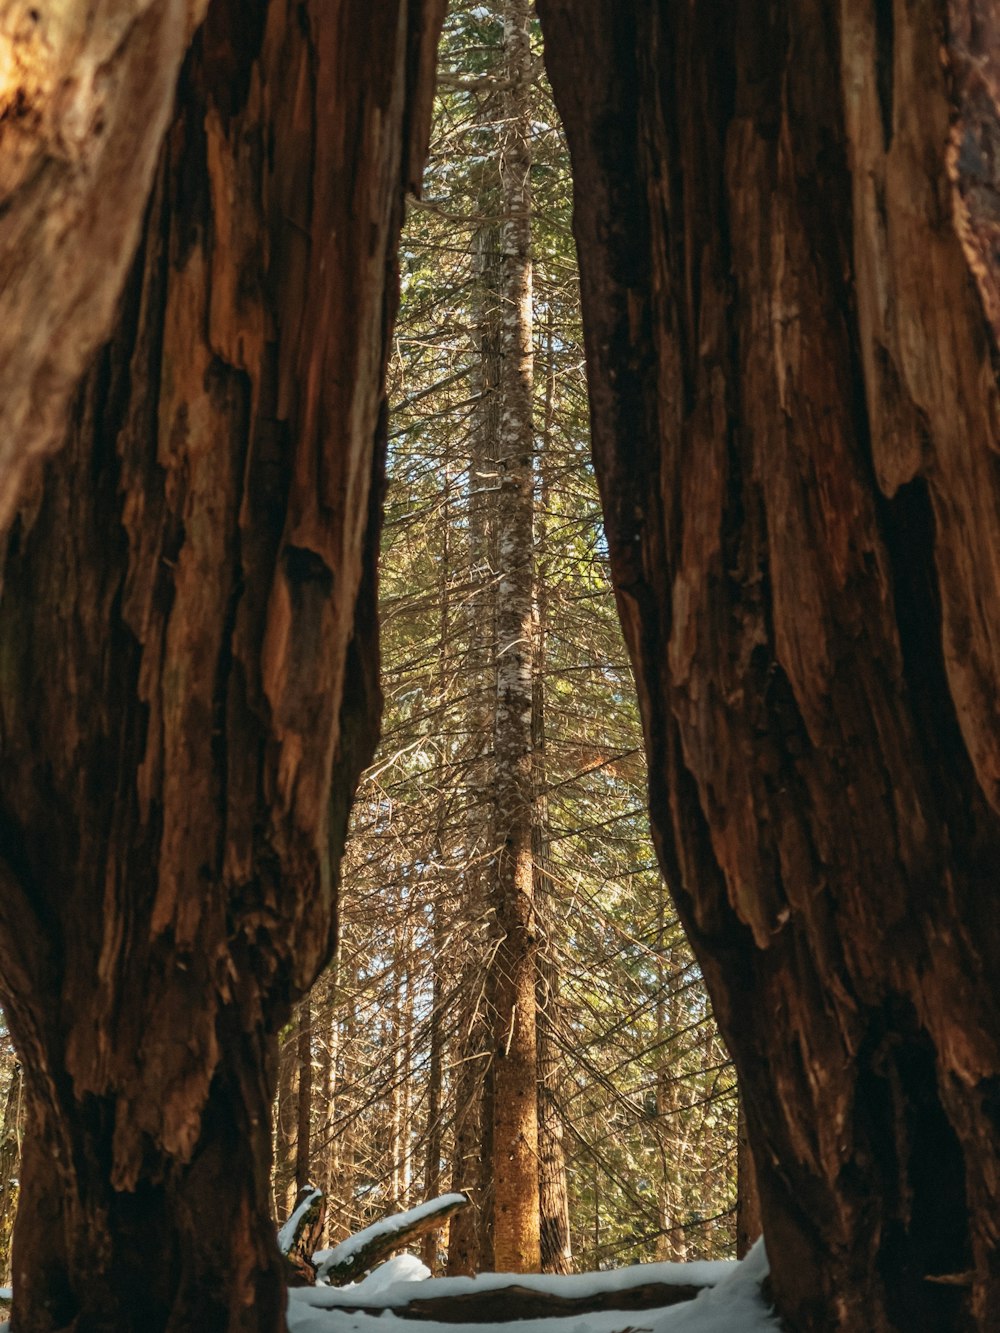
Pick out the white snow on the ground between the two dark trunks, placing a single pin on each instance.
(734, 1304)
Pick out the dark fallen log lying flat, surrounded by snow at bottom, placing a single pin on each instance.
(503, 1304)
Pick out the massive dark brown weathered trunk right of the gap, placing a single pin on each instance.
(787, 231)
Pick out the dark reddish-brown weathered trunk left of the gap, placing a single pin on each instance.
(187, 659)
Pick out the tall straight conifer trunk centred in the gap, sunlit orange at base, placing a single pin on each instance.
(515, 1142)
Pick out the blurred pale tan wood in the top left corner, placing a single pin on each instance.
(86, 95)
